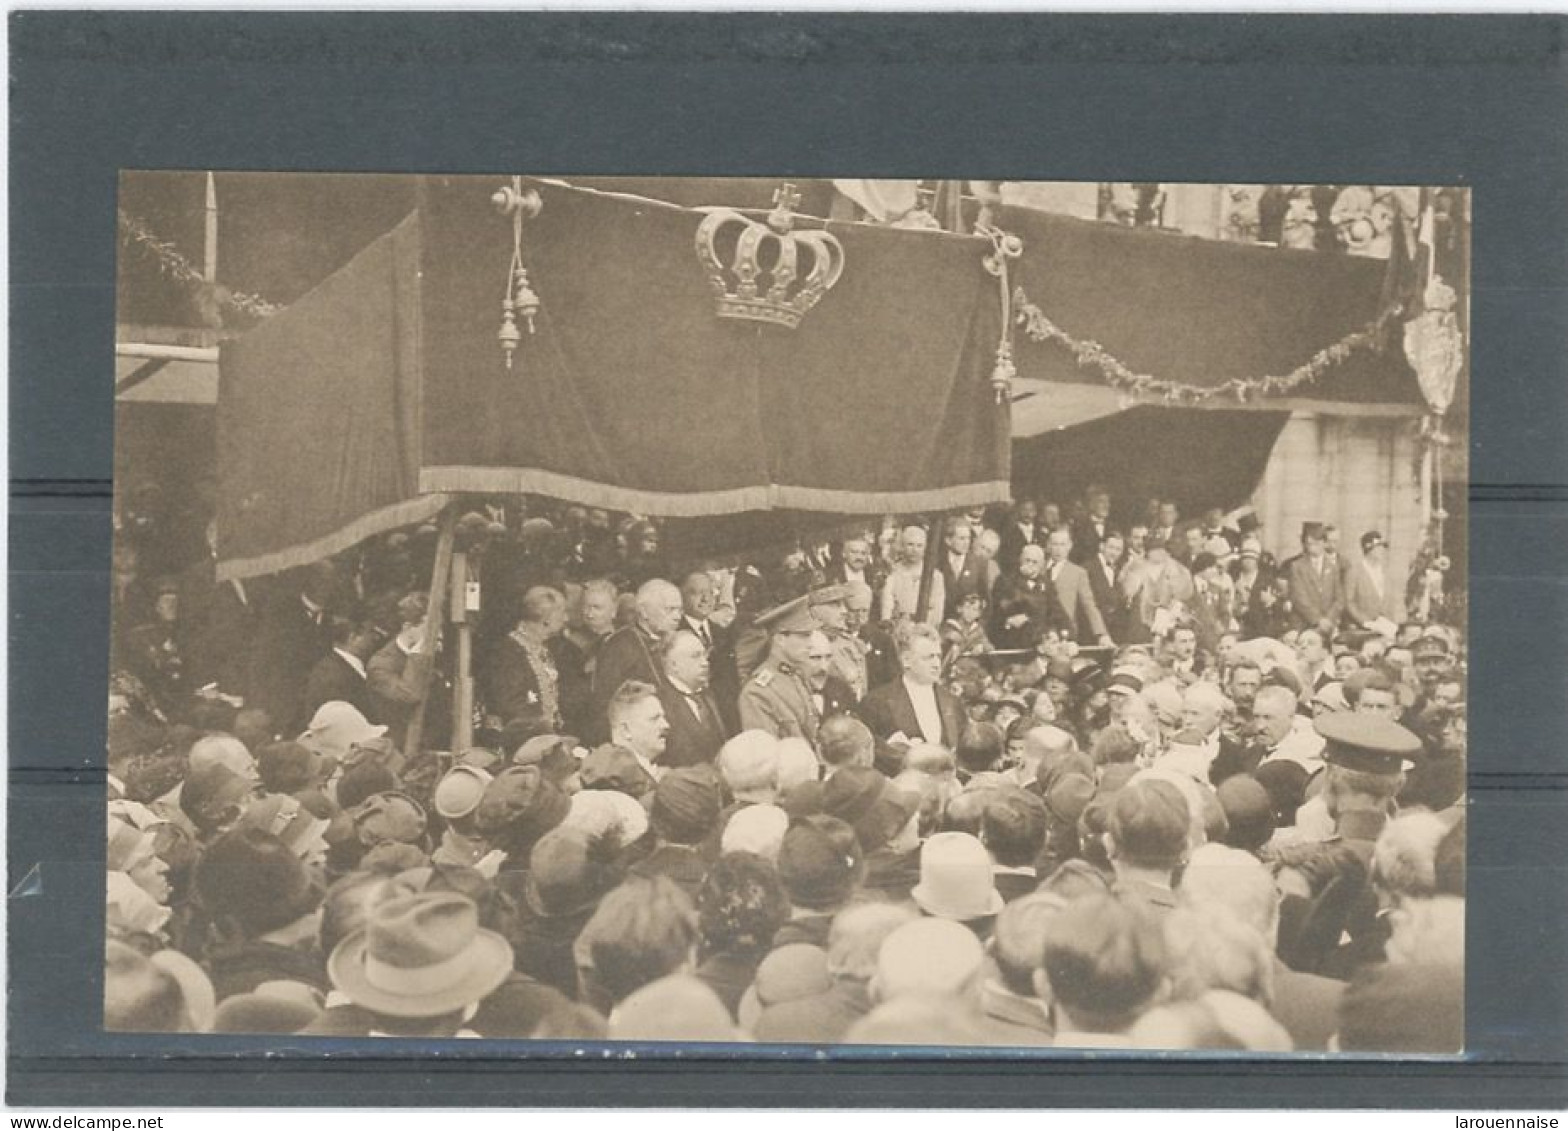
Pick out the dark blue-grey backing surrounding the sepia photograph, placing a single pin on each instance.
(1443, 100)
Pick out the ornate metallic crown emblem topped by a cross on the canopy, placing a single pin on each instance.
(766, 271)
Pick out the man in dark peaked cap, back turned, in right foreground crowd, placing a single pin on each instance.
(1367, 758)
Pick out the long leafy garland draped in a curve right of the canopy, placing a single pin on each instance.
(1094, 355)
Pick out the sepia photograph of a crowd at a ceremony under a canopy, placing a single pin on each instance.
(789, 613)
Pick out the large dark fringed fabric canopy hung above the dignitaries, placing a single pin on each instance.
(361, 405)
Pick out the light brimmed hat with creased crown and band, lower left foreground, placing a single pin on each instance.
(421, 956)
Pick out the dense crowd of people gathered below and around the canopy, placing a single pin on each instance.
(1070, 779)
